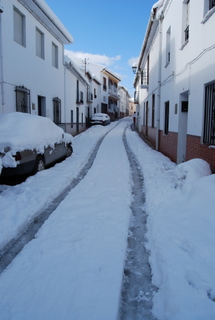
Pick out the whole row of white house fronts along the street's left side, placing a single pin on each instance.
(36, 77)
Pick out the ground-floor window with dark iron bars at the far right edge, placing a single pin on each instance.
(209, 118)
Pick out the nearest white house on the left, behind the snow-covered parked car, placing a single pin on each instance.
(31, 59)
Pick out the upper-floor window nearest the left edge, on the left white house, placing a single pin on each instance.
(19, 27)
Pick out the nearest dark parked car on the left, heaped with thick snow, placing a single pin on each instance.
(29, 143)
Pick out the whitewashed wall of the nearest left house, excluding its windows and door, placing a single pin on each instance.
(22, 67)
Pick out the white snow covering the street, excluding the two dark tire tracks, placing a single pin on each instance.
(74, 267)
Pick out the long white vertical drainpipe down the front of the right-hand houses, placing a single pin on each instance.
(159, 80)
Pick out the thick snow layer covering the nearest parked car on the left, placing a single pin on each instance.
(20, 131)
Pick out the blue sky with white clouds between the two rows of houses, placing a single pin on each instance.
(106, 32)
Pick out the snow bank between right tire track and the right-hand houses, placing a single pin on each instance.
(181, 238)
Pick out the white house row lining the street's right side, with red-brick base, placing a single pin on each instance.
(175, 80)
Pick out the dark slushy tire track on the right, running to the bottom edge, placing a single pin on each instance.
(137, 290)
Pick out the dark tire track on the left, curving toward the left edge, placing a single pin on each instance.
(12, 249)
